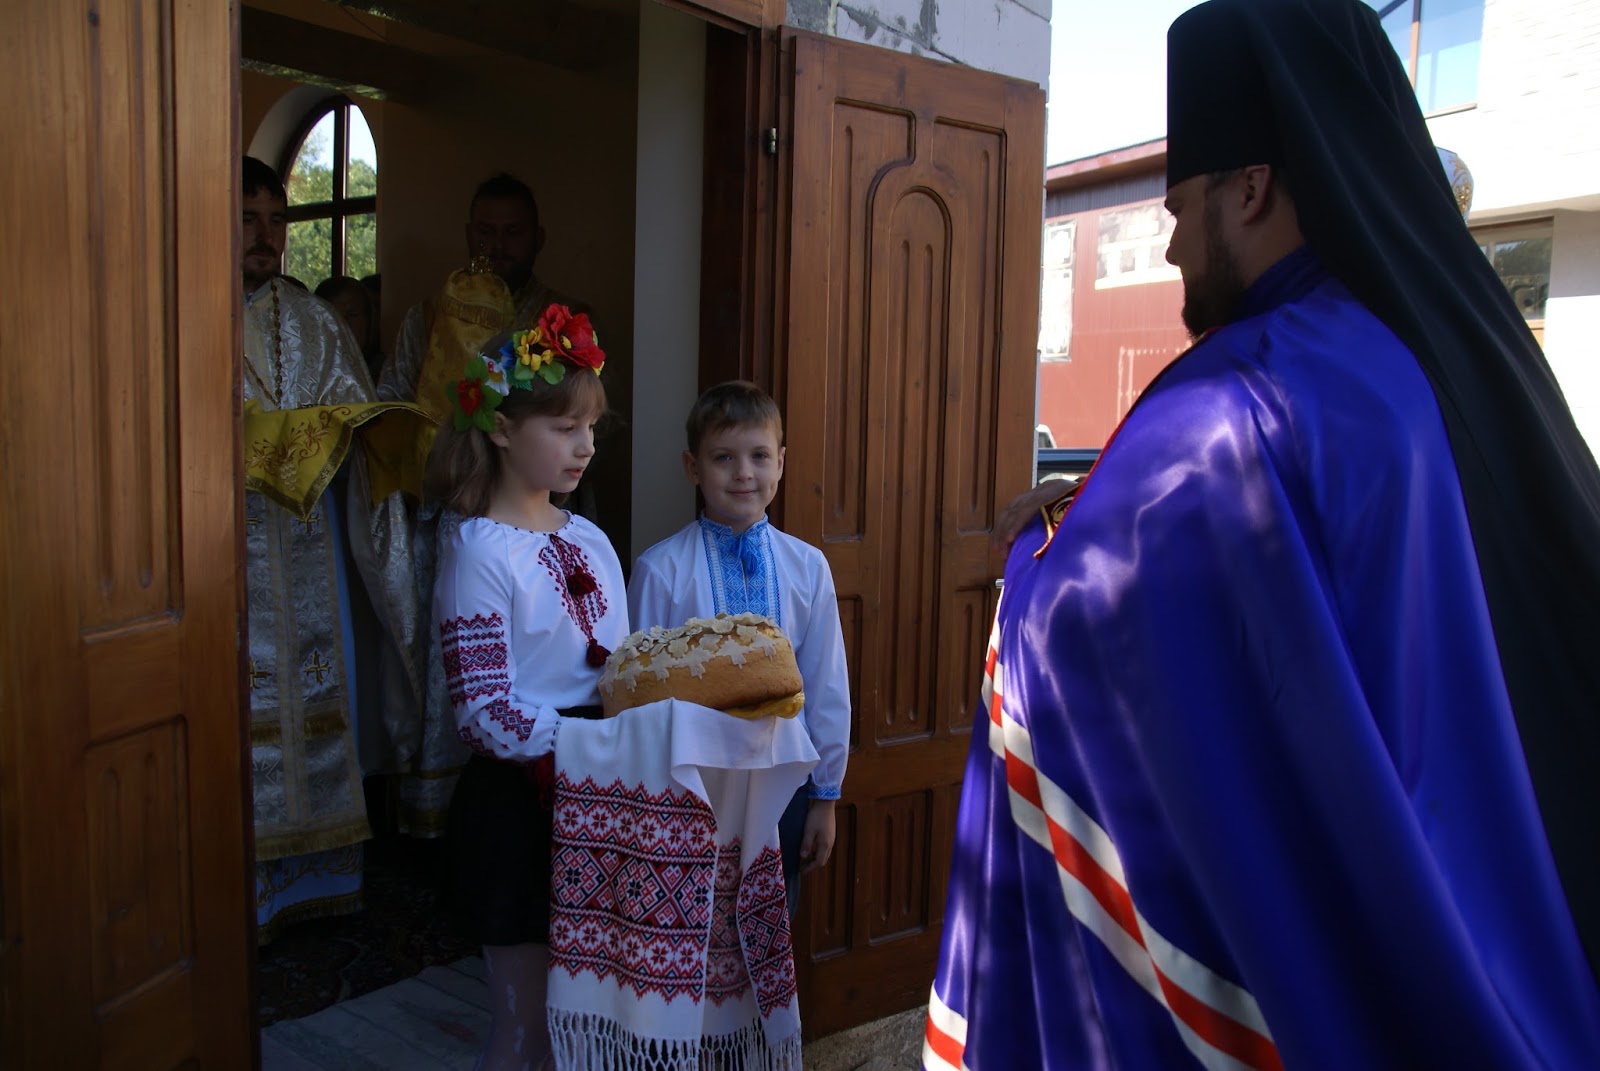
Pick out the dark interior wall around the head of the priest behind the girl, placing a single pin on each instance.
(569, 134)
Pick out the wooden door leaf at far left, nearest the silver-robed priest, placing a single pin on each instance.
(124, 835)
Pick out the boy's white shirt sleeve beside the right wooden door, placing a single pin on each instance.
(826, 680)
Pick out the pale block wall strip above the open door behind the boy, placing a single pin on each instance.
(1009, 38)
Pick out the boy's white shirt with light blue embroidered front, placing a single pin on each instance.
(679, 579)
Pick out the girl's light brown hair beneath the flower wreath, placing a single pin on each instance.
(465, 465)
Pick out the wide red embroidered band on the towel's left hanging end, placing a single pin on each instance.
(631, 888)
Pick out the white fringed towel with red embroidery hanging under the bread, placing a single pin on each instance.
(670, 931)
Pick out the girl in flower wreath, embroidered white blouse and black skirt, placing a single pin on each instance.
(529, 603)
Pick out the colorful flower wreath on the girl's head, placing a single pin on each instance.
(546, 350)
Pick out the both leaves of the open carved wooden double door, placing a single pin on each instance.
(894, 311)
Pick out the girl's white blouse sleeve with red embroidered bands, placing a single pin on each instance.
(474, 609)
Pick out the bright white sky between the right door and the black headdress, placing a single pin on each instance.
(1108, 74)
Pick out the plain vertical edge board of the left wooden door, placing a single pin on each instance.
(210, 502)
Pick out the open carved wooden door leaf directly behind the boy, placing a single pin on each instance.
(908, 382)
